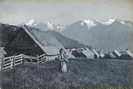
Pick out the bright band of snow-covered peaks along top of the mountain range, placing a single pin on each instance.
(86, 22)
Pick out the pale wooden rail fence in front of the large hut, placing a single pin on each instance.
(12, 61)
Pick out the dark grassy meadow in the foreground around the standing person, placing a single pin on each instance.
(89, 74)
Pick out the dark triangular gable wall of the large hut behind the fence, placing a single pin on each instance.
(23, 44)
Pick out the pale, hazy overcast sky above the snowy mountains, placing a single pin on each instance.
(64, 11)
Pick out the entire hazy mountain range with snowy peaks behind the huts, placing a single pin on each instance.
(107, 35)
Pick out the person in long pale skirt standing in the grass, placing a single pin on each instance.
(63, 59)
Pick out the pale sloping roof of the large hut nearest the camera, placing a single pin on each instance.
(48, 43)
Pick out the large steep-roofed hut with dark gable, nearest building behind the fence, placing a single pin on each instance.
(32, 41)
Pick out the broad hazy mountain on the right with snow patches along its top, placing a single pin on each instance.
(108, 35)
